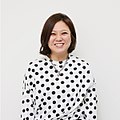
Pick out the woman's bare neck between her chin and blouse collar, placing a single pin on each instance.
(58, 57)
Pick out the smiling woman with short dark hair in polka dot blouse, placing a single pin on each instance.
(58, 86)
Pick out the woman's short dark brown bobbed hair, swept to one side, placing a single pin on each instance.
(48, 27)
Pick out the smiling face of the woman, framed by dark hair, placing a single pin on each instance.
(60, 39)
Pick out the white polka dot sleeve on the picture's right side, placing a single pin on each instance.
(87, 109)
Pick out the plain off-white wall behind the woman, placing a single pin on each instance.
(97, 24)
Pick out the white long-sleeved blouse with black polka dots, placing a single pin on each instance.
(59, 90)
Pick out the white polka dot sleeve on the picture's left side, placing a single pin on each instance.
(28, 95)
